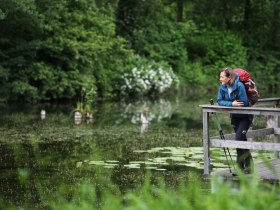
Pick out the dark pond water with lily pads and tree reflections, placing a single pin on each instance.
(117, 147)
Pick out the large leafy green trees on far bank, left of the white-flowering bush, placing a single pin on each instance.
(58, 49)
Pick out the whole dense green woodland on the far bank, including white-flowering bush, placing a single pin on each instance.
(107, 49)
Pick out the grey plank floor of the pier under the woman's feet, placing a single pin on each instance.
(266, 171)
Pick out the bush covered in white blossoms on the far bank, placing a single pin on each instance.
(148, 78)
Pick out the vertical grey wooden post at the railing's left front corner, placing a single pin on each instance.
(206, 142)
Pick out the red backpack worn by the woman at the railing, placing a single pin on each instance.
(251, 89)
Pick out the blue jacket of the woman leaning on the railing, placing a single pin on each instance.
(238, 93)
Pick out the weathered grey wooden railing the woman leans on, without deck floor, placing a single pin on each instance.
(230, 142)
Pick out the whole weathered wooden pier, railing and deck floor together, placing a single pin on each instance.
(266, 171)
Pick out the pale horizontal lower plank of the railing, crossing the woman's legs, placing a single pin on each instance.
(245, 145)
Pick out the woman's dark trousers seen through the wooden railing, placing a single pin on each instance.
(241, 126)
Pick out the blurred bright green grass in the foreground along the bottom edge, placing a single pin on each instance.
(250, 195)
